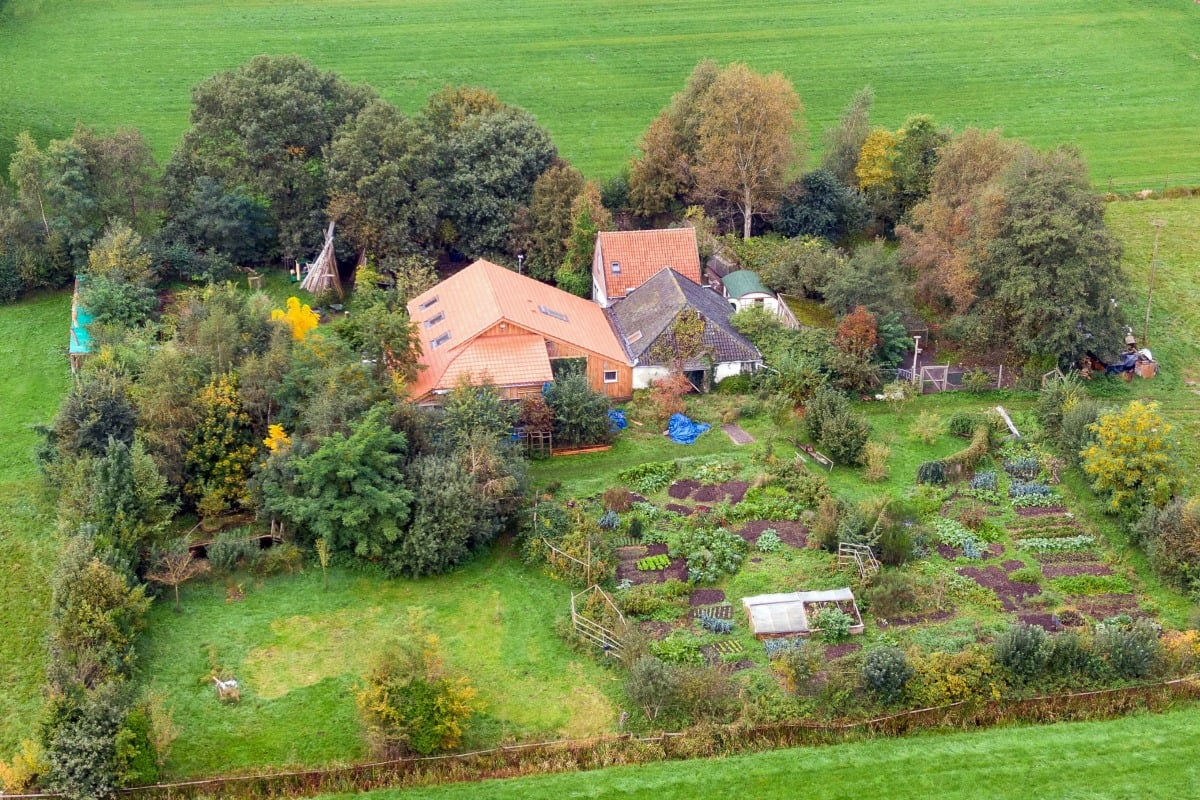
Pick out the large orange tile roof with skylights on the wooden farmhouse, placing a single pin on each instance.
(452, 316)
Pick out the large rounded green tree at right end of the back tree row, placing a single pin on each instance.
(1053, 268)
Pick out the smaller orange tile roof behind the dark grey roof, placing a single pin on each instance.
(644, 254)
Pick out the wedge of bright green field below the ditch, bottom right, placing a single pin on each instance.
(1143, 757)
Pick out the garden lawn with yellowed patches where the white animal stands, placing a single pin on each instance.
(299, 652)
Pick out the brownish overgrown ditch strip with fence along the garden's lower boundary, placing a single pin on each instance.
(572, 755)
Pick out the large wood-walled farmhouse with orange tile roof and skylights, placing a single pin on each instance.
(488, 324)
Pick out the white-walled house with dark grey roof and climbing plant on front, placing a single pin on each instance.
(646, 323)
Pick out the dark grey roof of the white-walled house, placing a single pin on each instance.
(646, 315)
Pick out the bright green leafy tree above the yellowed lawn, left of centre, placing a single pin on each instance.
(351, 491)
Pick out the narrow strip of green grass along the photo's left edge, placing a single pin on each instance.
(33, 351)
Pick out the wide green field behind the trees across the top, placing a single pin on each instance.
(1115, 77)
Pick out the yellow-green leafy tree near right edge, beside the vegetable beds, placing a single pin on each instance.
(1133, 459)
